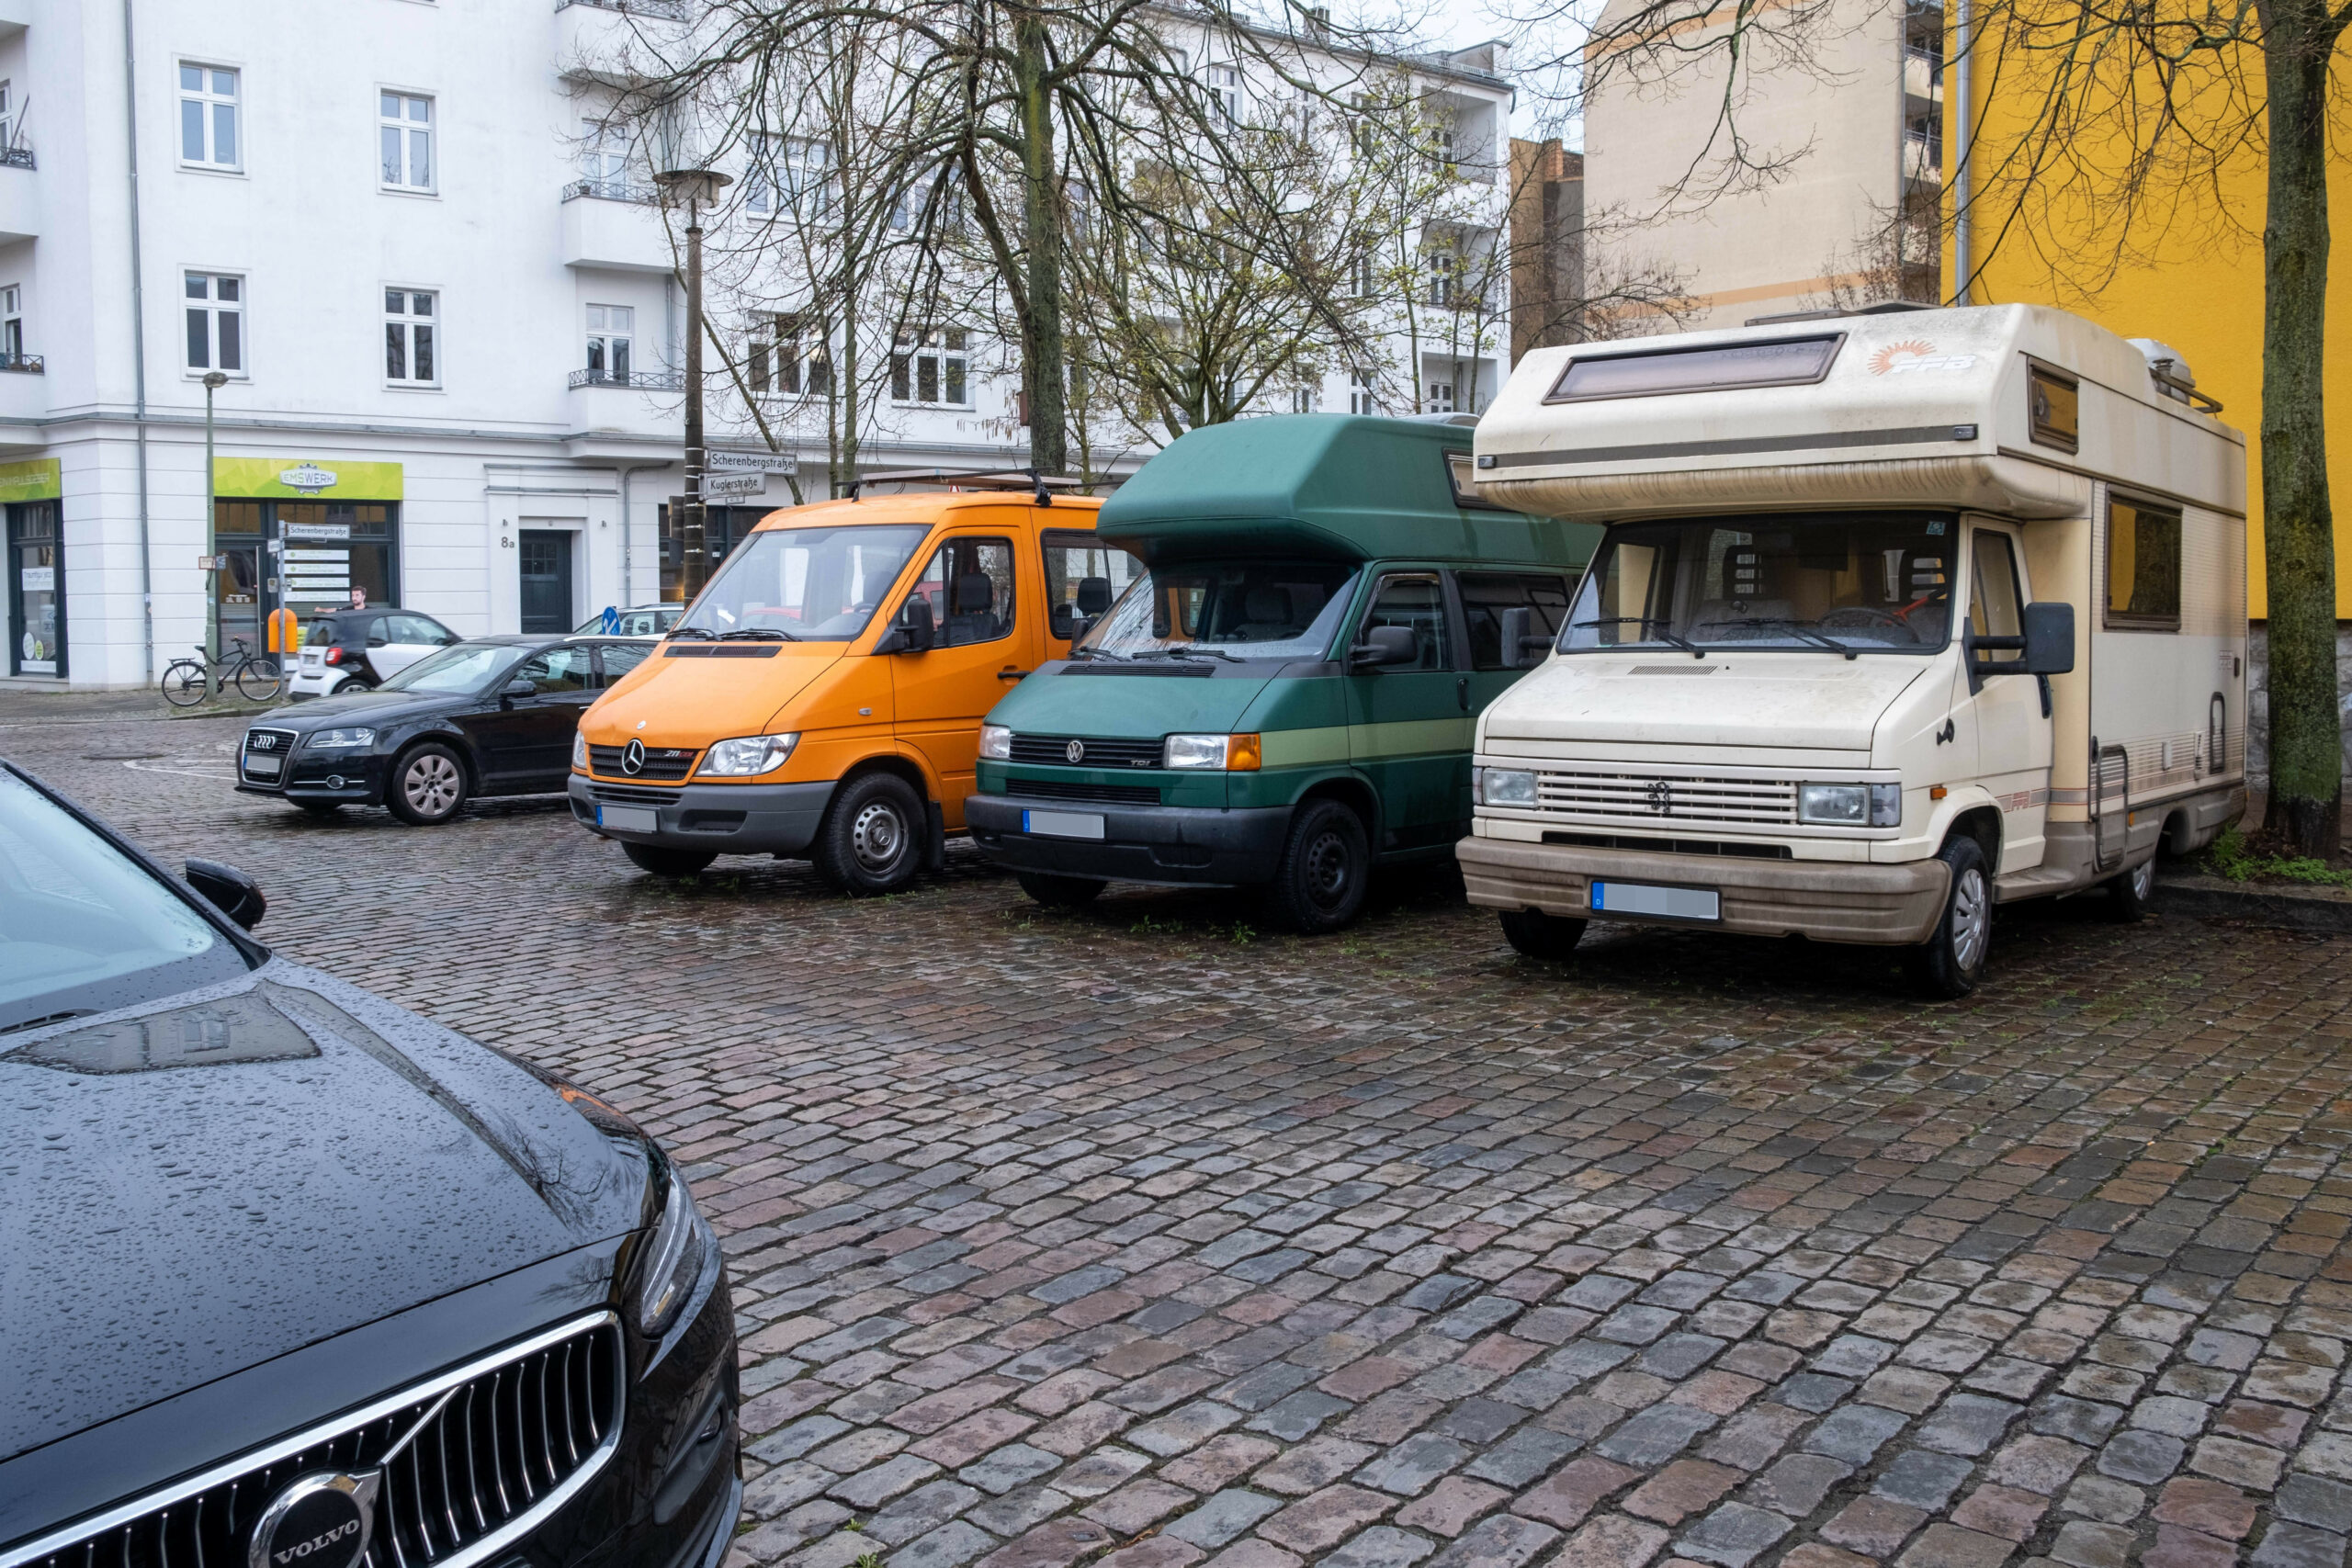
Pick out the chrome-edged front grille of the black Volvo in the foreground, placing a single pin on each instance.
(479, 1459)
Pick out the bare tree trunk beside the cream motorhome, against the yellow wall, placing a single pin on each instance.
(2299, 542)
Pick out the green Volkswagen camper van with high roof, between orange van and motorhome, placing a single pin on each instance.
(1285, 697)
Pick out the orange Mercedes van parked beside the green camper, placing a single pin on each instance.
(824, 695)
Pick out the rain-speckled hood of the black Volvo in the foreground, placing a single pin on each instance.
(196, 1186)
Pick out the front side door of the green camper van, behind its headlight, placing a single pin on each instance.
(1410, 725)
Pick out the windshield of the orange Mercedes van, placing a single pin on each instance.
(803, 584)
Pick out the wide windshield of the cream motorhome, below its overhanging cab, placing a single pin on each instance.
(1793, 582)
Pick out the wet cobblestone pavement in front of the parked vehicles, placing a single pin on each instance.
(1140, 1238)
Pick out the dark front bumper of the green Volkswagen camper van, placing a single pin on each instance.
(1158, 845)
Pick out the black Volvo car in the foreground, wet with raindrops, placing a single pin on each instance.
(298, 1278)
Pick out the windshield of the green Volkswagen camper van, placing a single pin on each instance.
(1241, 610)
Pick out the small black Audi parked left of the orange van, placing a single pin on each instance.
(490, 716)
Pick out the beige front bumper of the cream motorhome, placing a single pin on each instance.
(1833, 902)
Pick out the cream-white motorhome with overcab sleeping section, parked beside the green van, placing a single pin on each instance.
(1899, 617)
